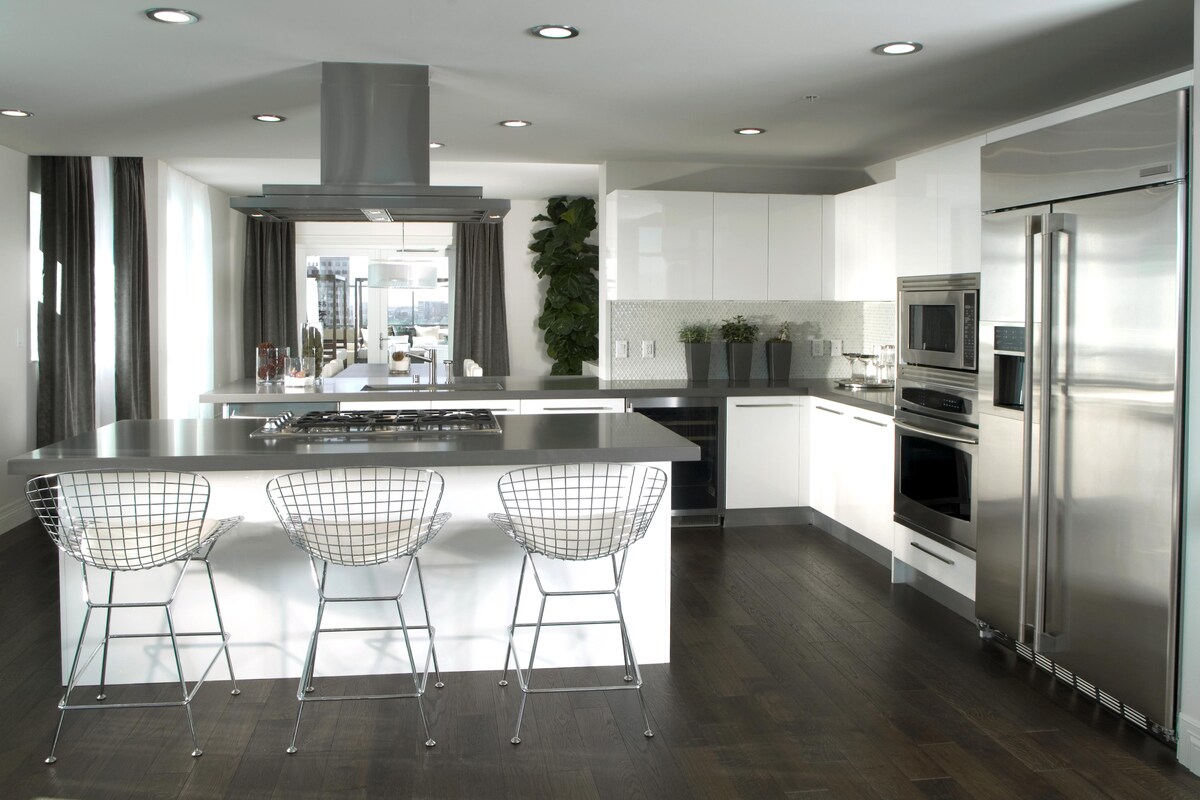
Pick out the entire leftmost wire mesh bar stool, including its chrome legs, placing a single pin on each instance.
(123, 521)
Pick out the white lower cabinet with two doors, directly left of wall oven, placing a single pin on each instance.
(851, 466)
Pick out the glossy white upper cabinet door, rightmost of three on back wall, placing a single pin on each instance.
(795, 248)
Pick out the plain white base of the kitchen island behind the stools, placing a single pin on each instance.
(471, 570)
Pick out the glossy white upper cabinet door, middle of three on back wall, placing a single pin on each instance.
(740, 246)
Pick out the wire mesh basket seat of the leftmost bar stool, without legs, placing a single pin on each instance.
(123, 520)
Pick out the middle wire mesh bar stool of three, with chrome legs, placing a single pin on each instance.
(356, 518)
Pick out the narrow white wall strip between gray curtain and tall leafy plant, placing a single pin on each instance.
(524, 292)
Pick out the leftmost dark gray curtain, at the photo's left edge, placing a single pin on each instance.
(67, 376)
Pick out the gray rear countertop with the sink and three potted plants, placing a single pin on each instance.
(351, 386)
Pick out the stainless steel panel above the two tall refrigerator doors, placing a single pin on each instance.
(1137, 145)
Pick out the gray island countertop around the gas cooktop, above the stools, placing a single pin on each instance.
(215, 446)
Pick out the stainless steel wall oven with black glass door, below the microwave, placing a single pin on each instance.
(937, 454)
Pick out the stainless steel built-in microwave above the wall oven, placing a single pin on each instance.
(940, 321)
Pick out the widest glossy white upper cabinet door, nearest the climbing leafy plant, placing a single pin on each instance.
(664, 245)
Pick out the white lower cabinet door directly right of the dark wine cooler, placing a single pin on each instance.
(765, 448)
